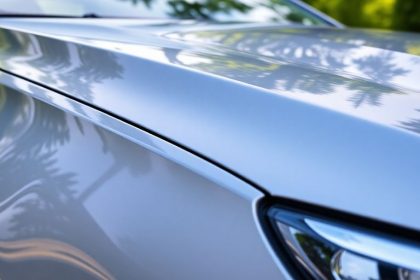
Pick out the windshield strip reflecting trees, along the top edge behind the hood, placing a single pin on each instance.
(281, 11)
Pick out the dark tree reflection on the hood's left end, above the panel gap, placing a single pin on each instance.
(83, 67)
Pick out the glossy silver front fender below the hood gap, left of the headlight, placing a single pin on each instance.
(82, 202)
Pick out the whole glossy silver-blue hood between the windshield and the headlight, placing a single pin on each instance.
(319, 115)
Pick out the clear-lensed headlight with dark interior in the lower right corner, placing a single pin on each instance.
(322, 249)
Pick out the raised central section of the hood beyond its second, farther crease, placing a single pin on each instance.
(388, 59)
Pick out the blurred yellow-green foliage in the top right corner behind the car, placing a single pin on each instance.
(384, 14)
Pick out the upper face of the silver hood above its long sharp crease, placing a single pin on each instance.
(353, 71)
